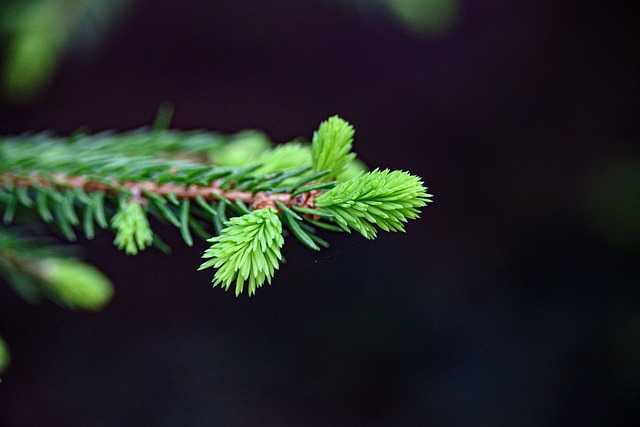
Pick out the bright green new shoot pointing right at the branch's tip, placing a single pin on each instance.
(383, 198)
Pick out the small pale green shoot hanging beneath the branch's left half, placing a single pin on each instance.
(132, 228)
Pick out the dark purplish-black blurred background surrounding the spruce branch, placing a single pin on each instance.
(513, 301)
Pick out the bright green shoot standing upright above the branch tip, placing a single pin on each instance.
(331, 146)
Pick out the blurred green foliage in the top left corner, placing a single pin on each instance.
(36, 34)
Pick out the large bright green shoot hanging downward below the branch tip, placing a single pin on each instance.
(248, 249)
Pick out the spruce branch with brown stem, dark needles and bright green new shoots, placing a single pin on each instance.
(197, 182)
